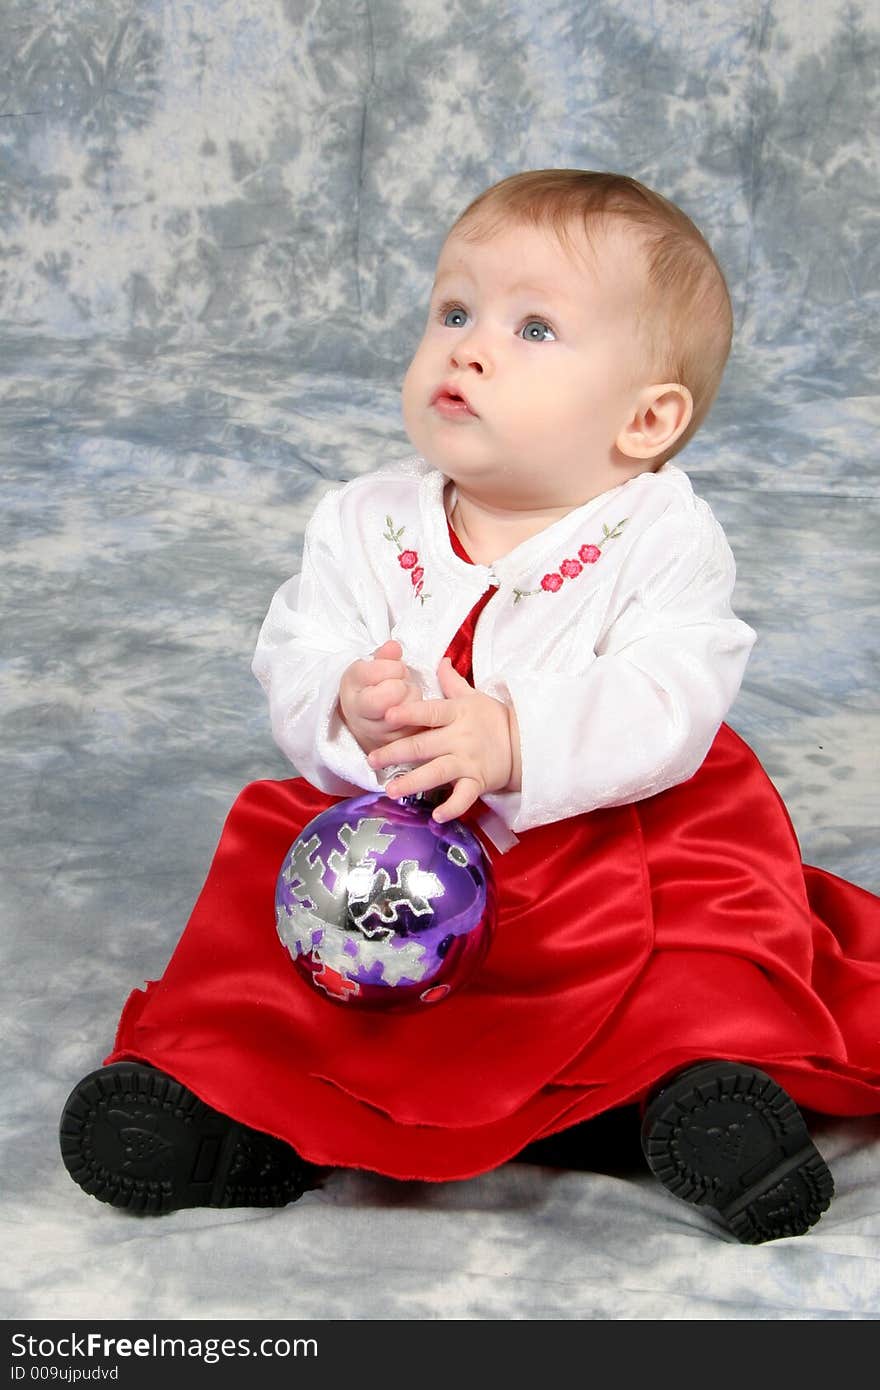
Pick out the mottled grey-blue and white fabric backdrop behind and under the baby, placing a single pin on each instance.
(219, 229)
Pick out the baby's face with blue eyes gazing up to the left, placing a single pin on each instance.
(530, 366)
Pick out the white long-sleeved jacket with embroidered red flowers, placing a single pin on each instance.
(612, 635)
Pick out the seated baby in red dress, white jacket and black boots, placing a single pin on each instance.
(532, 623)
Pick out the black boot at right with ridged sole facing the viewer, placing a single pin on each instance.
(725, 1135)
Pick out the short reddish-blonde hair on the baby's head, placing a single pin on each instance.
(687, 320)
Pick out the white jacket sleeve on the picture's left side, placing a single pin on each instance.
(315, 629)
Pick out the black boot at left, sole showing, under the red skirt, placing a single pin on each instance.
(134, 1138)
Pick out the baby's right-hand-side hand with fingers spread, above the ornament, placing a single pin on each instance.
(469, 739)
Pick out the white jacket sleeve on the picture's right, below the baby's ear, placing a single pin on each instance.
(653, 694)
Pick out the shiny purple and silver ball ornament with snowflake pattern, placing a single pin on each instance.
(383, 907)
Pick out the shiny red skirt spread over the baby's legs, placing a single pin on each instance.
(630, 943)
